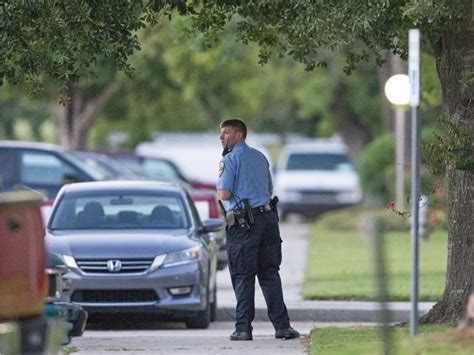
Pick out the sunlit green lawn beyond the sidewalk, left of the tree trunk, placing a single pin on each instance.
(341, 265)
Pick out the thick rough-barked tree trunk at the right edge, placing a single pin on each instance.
(455, 62)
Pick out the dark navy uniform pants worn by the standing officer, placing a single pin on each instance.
(257, 252)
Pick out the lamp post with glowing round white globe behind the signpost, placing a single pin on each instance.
(397, 91)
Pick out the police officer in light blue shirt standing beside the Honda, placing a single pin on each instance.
(253, 236)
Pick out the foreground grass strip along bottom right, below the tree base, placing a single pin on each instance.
(368, 340)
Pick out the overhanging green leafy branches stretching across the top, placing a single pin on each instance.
(63, 39)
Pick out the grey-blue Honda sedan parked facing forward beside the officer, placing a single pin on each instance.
(136, 247)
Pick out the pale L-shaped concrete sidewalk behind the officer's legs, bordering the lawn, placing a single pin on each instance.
(295, 247)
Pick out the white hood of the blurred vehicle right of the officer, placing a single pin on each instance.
(326, 180)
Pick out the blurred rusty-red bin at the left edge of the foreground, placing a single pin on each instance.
(23, 282)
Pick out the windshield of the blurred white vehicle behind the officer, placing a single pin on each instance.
(319, 161)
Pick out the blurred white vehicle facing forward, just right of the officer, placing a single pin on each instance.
(314, 177)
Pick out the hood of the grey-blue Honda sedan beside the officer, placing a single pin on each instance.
(118, 244)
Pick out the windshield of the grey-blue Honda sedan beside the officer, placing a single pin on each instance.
(118, 210)
